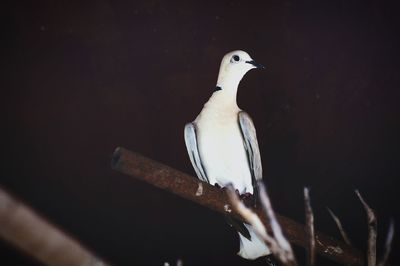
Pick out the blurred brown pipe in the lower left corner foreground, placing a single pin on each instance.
(22, 227)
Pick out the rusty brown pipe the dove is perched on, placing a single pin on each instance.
(188, 187)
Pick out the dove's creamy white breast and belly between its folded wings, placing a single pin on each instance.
(222, 151)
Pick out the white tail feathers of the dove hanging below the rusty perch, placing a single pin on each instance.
(254, 248)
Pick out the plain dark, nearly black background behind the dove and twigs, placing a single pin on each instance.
(83, 78)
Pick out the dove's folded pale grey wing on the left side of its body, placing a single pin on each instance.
(192, 148)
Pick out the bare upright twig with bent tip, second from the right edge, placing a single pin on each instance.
(372, 225)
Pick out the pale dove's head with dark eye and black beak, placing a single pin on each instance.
(234, 66)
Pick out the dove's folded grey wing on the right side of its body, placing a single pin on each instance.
(252, 149)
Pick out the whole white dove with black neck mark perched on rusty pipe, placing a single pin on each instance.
(223, 148)
